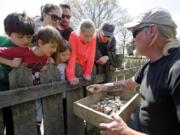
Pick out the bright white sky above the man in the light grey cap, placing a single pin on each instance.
(135, 7)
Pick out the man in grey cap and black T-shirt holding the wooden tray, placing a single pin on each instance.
(154, 35)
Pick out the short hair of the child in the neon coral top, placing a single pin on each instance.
(86, 24)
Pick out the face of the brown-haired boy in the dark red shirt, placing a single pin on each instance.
(48, 48)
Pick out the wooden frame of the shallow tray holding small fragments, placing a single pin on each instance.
(82, 109)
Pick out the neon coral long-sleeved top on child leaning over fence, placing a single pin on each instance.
(82, 53)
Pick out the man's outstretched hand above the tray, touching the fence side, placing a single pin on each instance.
(96, 88)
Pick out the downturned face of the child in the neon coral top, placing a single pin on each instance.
(87, 34)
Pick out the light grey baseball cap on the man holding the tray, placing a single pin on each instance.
(153, 16)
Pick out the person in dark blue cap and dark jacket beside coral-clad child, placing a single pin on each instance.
(105, 46)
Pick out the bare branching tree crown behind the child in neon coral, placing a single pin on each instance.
(99, 11)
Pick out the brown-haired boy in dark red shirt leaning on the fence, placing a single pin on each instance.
(48, 38)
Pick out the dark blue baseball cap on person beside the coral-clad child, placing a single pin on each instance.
(108, 29)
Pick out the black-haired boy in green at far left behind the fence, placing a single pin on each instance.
(19, 29)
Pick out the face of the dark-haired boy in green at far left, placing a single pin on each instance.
(20, 40)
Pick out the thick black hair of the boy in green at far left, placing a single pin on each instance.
(19, 23)
